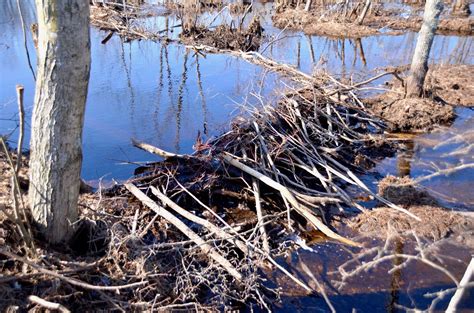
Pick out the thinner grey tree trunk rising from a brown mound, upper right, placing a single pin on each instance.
(419, 64)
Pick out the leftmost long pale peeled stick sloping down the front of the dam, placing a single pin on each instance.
(206, 248)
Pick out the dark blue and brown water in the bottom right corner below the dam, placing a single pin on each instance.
(388, 287)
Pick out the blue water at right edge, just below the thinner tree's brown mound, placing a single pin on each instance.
(443, 149)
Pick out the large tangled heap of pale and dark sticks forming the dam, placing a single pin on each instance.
(284, 165)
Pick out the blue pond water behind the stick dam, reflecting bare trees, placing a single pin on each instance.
(165, 95)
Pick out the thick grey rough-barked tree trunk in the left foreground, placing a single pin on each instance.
(58, 115)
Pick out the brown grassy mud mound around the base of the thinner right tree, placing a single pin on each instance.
(445, 86)
